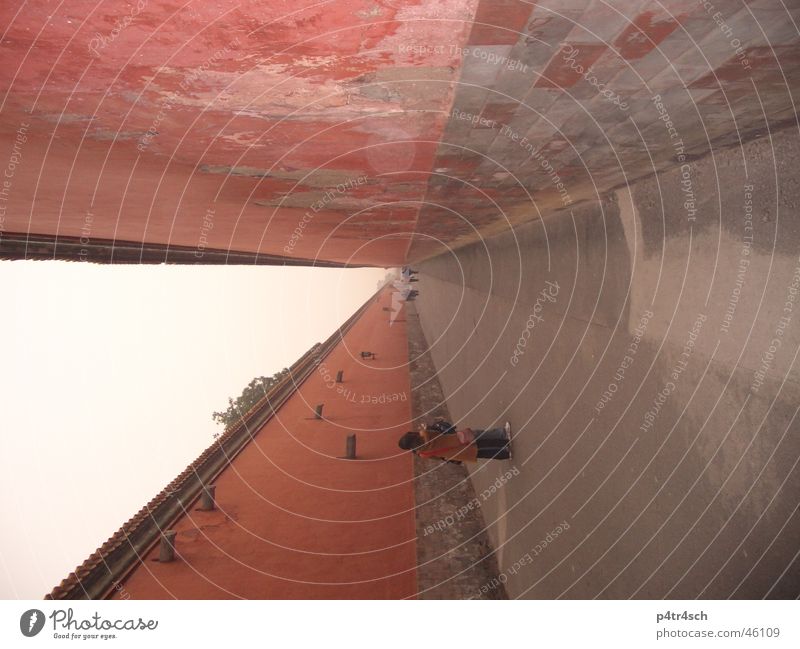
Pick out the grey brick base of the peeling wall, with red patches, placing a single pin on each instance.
(565, 99)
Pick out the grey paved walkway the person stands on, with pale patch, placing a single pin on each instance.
(654, 393)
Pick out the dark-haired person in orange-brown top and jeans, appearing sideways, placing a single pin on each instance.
(441, 440)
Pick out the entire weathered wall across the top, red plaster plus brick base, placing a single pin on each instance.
(338, 129)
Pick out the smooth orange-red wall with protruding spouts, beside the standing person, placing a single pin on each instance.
(294, 520)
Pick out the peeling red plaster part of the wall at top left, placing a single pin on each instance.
(294, 88)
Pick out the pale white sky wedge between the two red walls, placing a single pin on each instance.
(109, 376)
